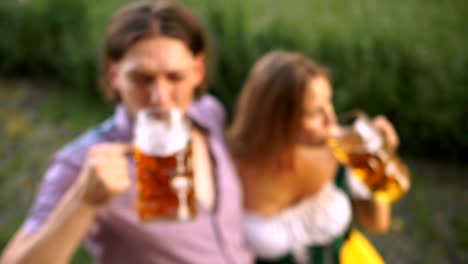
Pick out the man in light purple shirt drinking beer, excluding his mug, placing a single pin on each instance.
(156, 55)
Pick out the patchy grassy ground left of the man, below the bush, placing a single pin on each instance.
(53, 118)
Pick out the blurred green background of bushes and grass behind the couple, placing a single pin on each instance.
(407, 59)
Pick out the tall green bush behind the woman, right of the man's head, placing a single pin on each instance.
(411, 72)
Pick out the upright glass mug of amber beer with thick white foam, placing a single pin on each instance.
(163, 157)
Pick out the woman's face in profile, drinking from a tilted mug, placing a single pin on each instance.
(319, 115)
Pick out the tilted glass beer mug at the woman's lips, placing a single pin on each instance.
(359, 145)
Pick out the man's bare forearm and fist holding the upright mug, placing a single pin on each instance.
(103, 176)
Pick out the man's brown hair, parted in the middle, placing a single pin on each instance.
(145, 19)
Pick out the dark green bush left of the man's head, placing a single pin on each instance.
(49, 41)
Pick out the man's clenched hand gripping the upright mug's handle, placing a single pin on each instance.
(105, 173)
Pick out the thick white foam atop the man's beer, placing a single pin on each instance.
(161, 137)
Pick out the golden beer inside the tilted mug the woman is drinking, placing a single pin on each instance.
(380, 169)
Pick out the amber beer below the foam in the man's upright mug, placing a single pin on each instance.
(164, 191)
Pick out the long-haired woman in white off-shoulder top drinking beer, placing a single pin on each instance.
(296, 192)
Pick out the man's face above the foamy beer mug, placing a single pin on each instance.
(160, 73)
